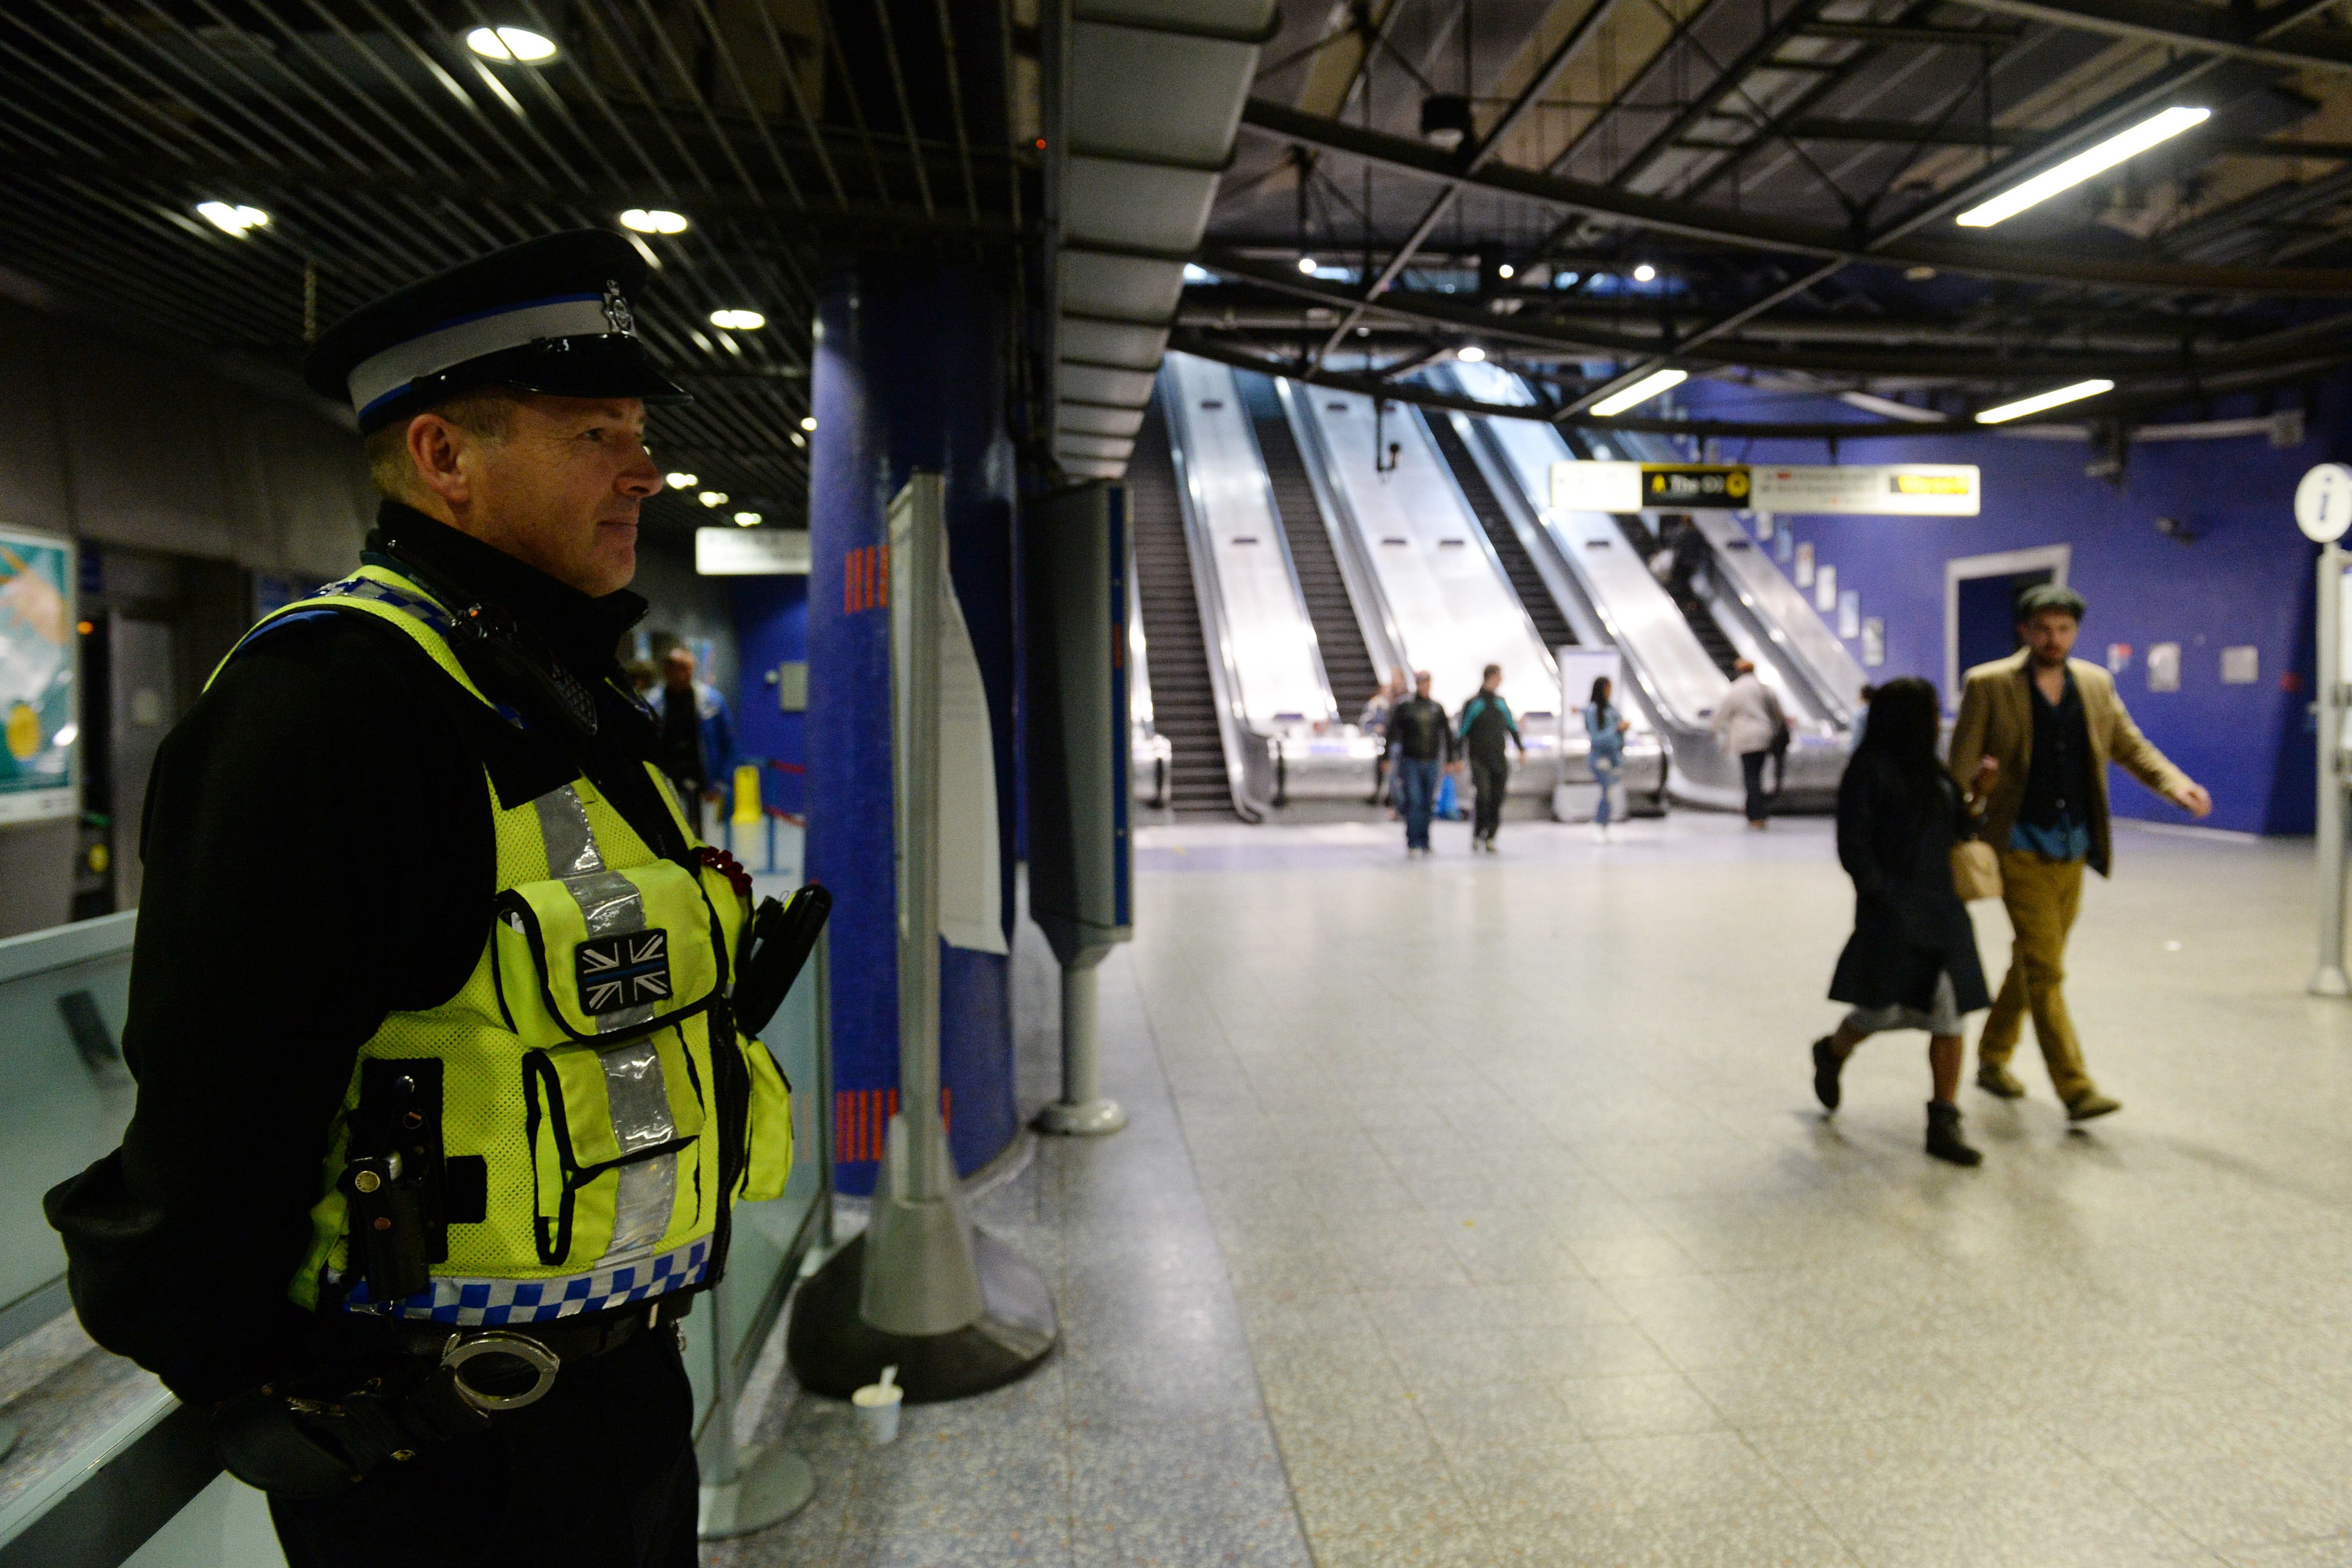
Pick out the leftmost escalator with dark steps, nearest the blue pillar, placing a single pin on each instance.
(1184, 704)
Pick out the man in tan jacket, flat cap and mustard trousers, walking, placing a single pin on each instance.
(2050, 728)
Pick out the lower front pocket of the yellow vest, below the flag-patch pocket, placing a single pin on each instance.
(610, 1132)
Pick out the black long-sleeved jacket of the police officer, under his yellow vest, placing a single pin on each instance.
(319, 852)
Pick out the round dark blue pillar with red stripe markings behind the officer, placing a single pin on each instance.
(909, 377)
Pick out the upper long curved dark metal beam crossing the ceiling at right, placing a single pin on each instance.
(1768, 234)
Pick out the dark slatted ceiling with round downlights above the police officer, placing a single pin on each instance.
(382, 149)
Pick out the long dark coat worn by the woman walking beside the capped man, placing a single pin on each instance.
(1909, 923)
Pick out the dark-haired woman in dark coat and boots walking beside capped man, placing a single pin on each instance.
(1911, 963)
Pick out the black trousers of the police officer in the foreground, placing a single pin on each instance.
(596, 1475)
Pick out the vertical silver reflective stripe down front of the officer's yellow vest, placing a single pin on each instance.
(634, 1085)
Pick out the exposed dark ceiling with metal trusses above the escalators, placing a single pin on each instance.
(1791, 170)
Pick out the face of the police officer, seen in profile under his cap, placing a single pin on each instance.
(563, 490)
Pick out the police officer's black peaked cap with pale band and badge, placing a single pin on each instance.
(544, 316)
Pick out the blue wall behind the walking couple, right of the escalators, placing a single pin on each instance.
(2247, 579)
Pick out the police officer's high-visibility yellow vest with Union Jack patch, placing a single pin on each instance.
(596, 1101)
